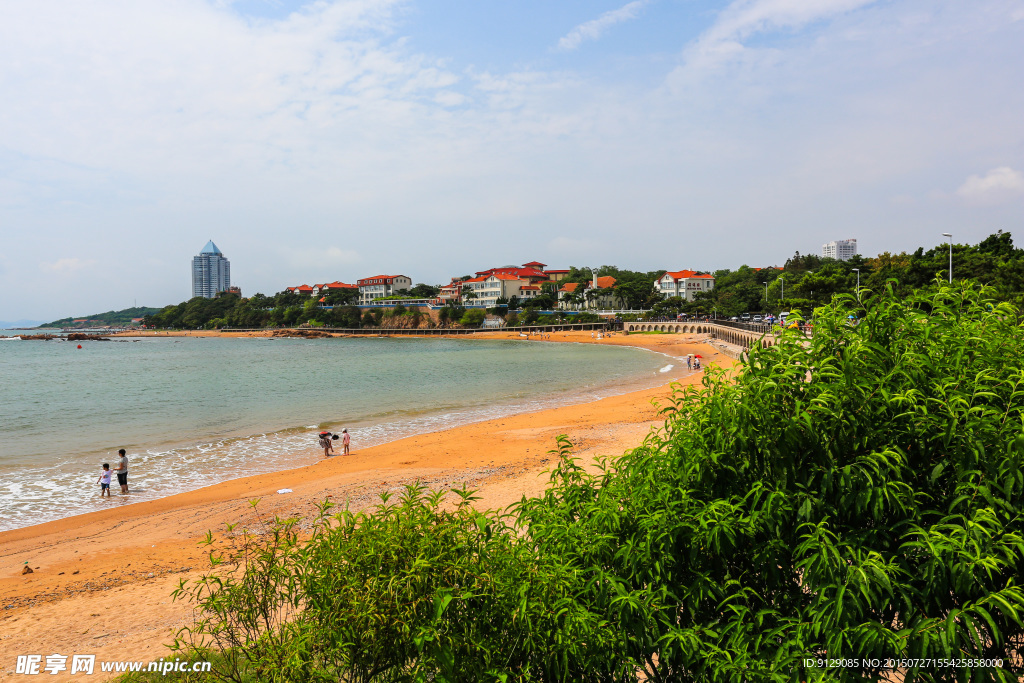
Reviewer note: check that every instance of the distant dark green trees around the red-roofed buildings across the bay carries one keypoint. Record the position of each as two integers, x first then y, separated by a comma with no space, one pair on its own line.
804,283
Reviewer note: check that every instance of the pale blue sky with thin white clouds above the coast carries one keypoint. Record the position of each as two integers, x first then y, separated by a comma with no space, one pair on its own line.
326,141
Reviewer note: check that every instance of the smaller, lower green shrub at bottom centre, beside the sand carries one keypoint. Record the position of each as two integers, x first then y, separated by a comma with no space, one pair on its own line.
410,592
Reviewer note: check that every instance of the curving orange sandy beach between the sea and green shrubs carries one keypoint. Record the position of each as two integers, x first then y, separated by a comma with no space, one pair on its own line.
102,582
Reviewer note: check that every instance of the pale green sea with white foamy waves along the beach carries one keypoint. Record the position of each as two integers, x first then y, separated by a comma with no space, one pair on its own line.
193,412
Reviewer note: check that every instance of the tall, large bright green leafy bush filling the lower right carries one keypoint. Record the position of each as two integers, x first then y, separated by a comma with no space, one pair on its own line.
859,496
